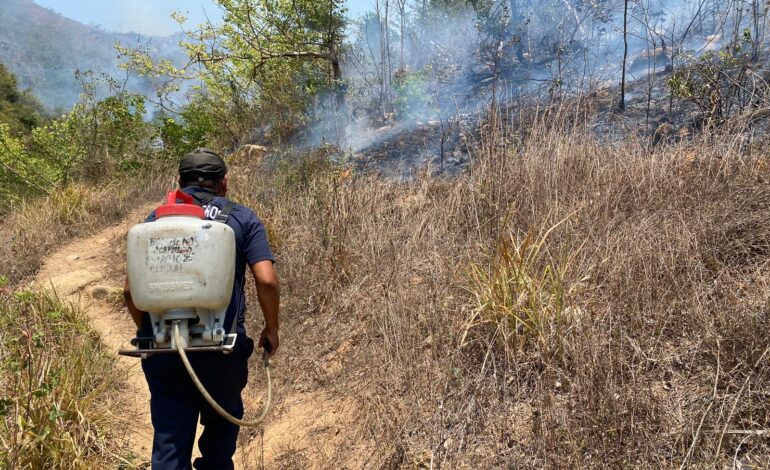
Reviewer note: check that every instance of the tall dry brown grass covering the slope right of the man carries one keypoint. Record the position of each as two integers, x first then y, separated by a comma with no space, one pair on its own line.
633,335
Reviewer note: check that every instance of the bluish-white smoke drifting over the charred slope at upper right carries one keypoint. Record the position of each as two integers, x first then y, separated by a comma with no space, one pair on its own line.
452,62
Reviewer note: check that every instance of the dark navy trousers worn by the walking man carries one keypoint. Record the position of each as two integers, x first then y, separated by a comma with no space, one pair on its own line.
176,405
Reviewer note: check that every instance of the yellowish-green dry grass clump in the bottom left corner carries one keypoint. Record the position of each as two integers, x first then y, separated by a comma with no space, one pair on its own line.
57,381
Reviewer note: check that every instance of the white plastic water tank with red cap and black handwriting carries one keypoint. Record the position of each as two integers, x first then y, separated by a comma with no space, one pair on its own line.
181,261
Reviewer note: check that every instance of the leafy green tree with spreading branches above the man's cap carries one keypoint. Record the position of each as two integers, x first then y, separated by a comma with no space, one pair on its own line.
265,63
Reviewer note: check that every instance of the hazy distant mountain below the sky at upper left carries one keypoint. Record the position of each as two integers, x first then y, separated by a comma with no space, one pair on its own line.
44,49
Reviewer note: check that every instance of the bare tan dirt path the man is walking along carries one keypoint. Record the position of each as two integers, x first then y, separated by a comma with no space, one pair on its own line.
305,428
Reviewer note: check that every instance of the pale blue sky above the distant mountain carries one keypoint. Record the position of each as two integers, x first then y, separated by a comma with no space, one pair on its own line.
150,16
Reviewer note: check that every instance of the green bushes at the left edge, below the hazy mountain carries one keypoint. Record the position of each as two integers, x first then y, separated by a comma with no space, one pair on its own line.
96,141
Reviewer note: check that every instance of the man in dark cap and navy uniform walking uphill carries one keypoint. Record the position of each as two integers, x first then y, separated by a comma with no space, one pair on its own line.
175,403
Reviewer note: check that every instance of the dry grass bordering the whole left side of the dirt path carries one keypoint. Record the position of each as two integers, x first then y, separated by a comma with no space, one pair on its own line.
58,384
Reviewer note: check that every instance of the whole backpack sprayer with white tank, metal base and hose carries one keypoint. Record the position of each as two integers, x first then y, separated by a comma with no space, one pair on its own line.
181,270
